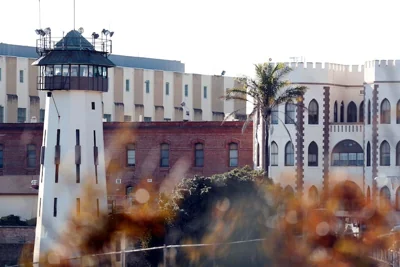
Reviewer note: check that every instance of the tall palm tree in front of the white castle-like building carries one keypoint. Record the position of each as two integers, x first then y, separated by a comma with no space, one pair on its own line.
267,91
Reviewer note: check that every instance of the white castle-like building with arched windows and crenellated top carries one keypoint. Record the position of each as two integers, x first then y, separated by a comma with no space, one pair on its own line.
346,131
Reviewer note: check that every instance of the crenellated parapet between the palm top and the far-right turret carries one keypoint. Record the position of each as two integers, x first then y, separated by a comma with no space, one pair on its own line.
326,73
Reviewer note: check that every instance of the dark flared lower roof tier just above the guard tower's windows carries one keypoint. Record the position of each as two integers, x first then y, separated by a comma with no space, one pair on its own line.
74,57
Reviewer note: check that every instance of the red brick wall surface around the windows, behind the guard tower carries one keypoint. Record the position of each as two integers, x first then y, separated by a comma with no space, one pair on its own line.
147,138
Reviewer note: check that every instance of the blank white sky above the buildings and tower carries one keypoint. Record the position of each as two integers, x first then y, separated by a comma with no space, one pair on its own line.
214,35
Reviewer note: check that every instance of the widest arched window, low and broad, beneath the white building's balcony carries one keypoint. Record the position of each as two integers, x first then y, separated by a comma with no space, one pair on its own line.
347,153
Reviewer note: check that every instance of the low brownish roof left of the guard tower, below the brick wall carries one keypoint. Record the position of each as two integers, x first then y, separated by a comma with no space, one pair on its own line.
17,185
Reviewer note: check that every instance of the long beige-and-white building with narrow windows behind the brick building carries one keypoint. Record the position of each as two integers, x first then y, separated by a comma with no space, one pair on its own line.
139,89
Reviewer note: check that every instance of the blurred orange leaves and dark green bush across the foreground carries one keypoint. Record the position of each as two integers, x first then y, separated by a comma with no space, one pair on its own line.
234,206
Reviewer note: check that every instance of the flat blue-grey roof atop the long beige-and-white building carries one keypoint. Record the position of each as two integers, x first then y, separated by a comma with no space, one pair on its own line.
118,60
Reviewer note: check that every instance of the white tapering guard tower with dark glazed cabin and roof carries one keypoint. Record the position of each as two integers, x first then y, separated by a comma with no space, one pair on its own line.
74,73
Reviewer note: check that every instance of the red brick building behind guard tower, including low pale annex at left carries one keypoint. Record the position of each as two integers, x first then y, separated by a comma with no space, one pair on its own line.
161,153
